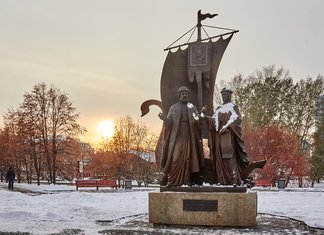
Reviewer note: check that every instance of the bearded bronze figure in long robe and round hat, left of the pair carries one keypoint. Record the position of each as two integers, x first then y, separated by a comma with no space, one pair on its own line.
181,145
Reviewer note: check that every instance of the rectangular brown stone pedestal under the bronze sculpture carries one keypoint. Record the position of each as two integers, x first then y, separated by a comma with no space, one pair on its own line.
205,208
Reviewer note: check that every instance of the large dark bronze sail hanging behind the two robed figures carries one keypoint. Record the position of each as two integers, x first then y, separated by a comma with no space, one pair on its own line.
178,72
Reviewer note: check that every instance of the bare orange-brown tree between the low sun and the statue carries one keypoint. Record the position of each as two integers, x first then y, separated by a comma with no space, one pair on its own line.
129,153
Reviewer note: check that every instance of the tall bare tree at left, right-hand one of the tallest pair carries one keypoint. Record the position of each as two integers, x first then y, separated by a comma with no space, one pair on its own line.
56,120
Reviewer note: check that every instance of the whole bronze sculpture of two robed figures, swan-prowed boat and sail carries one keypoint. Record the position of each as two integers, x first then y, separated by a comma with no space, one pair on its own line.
179,152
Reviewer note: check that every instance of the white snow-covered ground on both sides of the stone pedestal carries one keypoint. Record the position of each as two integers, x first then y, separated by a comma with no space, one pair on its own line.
60,207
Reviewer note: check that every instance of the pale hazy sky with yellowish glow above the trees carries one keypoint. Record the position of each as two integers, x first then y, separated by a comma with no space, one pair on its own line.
108,55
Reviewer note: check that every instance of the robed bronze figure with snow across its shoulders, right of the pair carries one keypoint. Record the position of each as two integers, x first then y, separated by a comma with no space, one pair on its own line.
229,159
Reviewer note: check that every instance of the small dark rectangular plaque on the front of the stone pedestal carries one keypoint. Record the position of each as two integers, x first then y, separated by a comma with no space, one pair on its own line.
200,205
